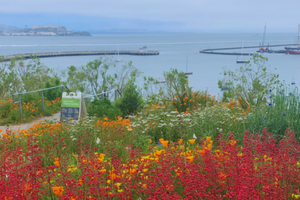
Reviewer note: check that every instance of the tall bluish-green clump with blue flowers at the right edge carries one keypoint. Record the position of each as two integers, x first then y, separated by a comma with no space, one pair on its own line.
279,113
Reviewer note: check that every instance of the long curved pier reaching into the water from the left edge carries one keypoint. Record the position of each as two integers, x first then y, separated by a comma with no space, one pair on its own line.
79,53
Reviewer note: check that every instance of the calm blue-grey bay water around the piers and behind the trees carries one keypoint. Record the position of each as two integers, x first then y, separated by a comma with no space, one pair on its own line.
174,50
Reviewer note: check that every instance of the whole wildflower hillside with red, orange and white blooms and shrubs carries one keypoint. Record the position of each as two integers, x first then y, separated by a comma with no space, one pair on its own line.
182,144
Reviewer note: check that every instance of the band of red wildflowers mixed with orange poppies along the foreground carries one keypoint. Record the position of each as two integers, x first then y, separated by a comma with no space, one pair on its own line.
261,169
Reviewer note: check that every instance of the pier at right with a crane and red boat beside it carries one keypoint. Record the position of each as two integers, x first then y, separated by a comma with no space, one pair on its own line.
212,51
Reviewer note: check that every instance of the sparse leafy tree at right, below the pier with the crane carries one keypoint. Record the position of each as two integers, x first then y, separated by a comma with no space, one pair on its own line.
250,82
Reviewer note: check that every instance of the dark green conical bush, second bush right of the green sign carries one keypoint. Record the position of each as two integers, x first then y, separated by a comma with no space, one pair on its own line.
131,100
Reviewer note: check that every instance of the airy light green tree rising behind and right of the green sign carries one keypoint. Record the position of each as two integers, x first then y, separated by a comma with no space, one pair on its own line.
99,76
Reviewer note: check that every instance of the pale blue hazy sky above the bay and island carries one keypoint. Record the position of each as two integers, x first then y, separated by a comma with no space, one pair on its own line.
155,15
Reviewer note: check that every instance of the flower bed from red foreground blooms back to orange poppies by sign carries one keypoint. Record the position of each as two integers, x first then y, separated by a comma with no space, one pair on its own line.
99,160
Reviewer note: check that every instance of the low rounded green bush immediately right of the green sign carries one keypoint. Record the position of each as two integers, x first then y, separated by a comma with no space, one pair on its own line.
103,108
